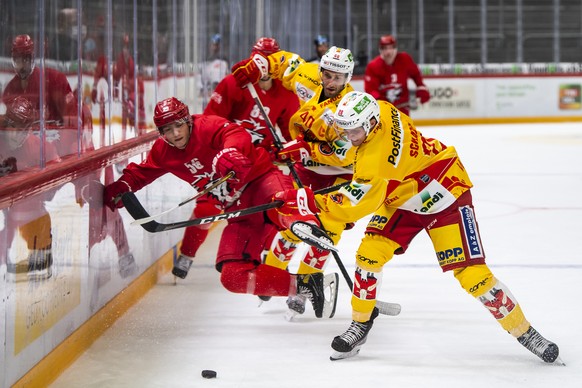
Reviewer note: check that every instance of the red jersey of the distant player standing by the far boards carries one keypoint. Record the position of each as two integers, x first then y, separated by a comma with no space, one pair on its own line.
389,82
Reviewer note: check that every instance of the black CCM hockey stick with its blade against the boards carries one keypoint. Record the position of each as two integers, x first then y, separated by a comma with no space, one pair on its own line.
137,211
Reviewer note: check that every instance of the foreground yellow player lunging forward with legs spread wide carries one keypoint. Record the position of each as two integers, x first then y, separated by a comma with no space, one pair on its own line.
412,183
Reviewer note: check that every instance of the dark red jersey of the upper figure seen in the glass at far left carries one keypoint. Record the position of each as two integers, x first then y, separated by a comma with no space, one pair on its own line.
59,99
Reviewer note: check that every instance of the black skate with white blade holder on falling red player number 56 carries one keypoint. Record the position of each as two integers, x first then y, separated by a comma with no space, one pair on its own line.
313,287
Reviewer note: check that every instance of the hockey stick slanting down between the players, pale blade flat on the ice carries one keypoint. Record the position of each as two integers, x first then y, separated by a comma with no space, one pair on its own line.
383,307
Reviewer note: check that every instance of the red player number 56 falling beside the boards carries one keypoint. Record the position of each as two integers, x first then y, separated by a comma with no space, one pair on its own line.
199,149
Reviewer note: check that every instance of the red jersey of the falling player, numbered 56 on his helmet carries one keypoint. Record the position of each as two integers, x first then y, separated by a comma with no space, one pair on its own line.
193,164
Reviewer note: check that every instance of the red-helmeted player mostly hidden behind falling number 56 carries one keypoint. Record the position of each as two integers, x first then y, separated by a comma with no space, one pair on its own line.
237,105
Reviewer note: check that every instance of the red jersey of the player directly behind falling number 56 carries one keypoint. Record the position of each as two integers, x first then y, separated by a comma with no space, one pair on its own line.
237,105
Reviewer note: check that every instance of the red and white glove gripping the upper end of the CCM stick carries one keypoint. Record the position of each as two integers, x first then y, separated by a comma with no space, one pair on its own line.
298,205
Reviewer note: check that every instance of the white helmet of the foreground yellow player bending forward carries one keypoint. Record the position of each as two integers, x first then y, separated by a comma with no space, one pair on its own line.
355,110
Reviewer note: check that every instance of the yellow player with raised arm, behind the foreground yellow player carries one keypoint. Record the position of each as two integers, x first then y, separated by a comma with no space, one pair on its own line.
322,160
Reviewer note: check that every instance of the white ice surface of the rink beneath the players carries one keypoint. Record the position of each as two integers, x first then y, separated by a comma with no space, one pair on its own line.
527,178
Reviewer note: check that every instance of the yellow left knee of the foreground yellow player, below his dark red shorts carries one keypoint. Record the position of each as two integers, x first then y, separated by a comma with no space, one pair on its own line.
374,252
